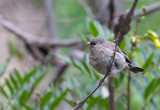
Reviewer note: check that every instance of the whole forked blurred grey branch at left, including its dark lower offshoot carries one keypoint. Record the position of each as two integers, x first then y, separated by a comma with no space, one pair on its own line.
39,47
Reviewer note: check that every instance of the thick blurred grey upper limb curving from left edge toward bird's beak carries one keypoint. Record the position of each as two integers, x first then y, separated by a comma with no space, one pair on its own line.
37,40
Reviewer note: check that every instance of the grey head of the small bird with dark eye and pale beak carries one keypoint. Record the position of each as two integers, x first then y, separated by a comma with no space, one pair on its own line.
94,42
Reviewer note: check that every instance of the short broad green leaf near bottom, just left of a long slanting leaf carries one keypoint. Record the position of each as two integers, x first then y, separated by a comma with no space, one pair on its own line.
45,99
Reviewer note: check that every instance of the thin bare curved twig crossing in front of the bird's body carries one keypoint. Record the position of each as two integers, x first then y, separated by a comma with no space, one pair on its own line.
80,104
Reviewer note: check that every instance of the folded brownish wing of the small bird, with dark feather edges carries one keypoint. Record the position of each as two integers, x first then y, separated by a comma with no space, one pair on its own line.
111,45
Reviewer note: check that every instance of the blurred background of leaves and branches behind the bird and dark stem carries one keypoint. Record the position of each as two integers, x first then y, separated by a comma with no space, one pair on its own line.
43,57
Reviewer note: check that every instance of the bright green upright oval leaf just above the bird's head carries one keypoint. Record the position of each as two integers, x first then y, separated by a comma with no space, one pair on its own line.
93,30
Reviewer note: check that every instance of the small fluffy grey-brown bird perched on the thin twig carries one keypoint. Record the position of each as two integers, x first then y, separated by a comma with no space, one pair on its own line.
100,55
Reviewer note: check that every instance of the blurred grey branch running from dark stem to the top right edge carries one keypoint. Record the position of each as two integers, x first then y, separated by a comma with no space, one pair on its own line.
148,10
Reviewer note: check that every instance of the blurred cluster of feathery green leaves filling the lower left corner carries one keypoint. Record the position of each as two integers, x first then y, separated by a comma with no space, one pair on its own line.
18,90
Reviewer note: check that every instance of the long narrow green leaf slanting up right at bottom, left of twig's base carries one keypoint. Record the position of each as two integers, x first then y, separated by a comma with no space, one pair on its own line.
56,102
